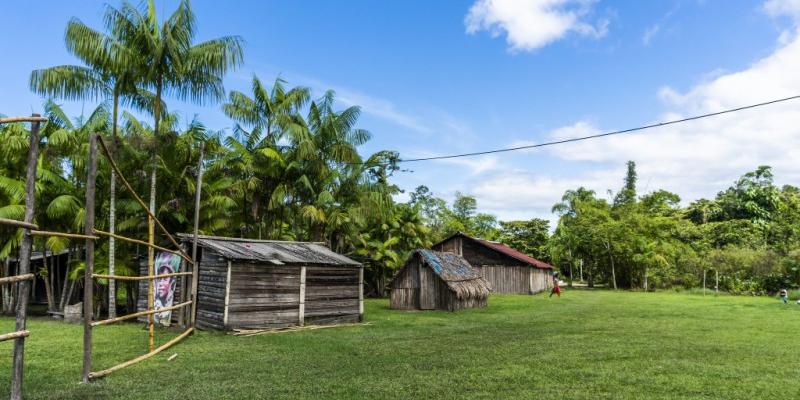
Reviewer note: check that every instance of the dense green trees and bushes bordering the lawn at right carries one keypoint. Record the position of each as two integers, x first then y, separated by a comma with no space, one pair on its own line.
749,234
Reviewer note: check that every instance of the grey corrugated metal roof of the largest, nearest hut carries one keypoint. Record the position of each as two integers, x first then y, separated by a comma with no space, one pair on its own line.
271,251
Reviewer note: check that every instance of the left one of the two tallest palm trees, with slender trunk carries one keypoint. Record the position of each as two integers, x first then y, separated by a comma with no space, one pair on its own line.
111,70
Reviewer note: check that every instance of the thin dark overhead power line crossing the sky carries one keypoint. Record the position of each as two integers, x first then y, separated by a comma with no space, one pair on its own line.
578,139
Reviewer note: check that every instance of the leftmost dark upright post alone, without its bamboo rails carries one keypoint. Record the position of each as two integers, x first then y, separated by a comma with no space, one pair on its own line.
25,263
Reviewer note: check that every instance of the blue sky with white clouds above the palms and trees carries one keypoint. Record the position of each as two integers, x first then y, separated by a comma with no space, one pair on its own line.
445,77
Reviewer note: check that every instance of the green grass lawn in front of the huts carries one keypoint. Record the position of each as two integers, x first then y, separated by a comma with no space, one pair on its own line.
587,344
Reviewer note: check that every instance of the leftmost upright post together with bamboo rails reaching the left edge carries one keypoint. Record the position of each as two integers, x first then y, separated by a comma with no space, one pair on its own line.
26,247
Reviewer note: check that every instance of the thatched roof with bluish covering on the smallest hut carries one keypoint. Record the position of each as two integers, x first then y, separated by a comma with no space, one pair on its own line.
456,272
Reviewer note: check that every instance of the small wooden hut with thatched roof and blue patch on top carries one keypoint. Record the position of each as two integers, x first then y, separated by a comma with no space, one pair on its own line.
434,280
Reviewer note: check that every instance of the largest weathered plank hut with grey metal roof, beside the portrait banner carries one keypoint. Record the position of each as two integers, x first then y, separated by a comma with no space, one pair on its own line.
245,283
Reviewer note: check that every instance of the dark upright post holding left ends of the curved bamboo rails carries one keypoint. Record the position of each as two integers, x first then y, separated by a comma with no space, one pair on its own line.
88,281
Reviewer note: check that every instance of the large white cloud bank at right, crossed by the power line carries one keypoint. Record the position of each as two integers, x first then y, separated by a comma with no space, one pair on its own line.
699,158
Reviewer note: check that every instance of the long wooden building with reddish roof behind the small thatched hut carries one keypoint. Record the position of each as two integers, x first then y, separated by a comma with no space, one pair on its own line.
507,270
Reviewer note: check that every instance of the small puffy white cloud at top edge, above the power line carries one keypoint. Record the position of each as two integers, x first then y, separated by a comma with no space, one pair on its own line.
532,24
